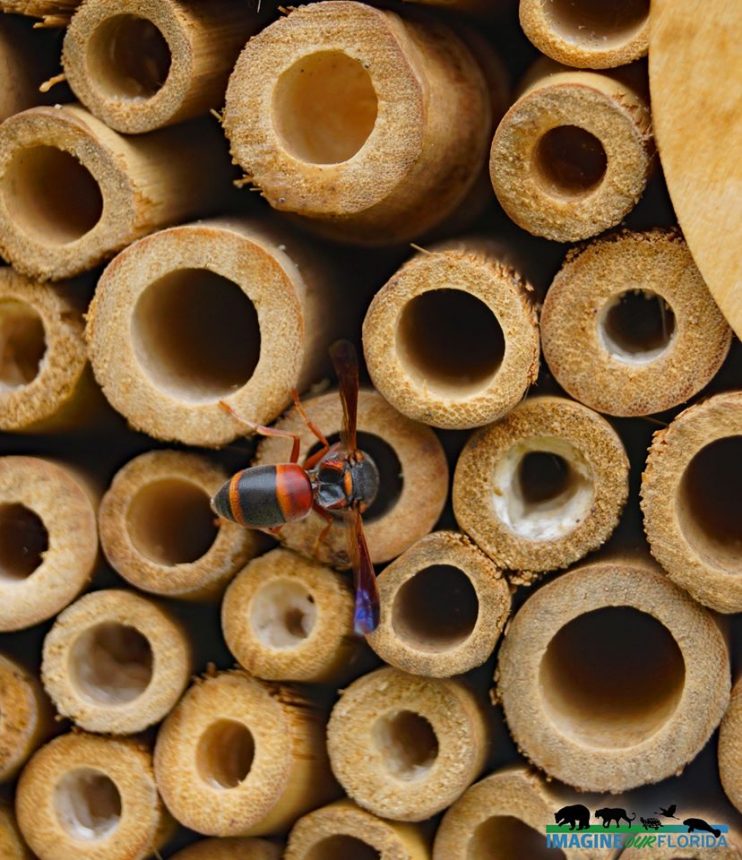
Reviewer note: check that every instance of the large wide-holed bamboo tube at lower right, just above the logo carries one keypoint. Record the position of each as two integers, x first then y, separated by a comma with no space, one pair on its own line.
611,677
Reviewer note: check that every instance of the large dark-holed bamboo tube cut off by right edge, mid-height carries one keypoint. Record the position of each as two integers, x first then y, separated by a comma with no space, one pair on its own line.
691,502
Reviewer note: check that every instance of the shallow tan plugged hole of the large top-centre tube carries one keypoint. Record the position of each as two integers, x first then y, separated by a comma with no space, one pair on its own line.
324,107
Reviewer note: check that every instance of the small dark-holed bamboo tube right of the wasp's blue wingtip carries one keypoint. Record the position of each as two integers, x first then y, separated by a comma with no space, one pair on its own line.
444,604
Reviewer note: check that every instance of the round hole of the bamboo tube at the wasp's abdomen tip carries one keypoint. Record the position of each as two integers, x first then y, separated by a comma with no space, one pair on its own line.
171,522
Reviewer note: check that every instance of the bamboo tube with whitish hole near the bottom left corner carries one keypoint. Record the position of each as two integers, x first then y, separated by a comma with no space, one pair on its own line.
91,798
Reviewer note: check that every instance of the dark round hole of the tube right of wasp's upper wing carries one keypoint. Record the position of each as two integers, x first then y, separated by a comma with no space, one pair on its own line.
451,342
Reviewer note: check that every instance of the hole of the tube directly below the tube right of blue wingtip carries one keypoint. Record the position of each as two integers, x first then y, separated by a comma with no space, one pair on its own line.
407,744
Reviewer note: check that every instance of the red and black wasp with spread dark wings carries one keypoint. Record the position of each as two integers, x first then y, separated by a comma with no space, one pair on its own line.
337,480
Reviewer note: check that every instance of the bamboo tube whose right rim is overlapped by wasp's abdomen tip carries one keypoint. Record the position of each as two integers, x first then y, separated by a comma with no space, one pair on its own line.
158,531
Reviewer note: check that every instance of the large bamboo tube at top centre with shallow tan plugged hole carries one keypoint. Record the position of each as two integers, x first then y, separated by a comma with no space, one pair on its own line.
356,119
